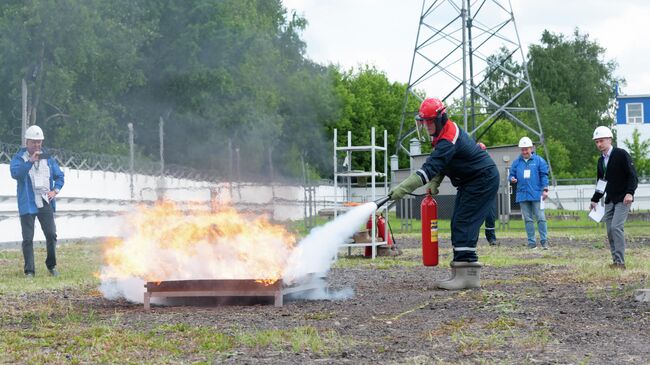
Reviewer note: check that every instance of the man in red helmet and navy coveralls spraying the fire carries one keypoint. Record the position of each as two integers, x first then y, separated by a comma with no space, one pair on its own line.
472,172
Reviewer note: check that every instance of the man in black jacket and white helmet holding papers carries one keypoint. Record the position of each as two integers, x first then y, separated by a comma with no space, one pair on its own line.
617,182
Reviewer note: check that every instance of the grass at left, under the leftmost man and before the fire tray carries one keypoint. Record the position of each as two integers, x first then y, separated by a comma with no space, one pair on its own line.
39,324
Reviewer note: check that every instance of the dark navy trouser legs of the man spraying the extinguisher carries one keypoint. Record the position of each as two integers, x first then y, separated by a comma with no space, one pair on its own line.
473,202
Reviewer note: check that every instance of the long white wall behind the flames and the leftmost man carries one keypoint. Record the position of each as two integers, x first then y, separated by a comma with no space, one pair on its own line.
92,203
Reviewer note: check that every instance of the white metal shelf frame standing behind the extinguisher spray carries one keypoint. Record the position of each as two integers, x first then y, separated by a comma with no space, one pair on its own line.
373,149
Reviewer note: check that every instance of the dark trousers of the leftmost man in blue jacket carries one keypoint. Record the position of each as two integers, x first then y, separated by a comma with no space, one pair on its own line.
46,219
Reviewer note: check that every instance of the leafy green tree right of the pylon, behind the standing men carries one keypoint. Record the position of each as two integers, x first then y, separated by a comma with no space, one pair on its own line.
573,84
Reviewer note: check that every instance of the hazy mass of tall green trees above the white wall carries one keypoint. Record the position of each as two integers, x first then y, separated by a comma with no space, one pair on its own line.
220,73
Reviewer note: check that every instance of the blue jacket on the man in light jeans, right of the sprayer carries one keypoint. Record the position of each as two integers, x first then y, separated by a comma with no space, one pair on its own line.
529,189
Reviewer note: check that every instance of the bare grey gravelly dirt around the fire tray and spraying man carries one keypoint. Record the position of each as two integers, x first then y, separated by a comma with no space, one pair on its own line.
396,316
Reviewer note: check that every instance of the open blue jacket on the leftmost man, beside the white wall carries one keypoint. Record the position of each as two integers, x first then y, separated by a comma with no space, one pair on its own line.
25,193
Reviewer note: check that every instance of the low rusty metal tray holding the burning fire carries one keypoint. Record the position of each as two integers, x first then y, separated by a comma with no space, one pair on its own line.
225,288
